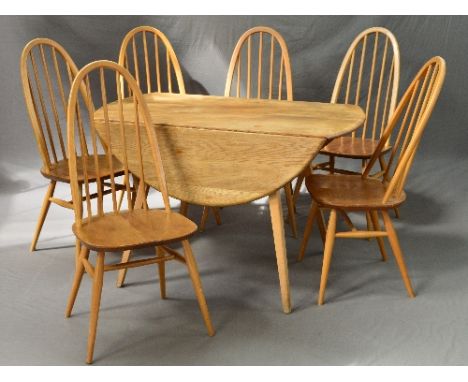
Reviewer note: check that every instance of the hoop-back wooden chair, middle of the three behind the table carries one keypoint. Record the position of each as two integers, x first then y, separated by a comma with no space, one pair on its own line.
260,68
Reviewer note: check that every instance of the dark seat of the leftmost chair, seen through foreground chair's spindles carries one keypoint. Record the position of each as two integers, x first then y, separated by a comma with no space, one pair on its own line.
59,171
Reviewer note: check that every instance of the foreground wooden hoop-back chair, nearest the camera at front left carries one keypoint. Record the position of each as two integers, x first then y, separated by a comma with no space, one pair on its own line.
102,227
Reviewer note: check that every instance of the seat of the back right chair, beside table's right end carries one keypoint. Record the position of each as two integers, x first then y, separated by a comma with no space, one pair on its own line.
349,147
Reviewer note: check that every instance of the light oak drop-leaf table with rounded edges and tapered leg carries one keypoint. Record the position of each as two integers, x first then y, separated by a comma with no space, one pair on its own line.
220,151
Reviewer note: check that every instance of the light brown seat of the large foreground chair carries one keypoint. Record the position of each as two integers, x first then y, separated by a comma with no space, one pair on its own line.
133,229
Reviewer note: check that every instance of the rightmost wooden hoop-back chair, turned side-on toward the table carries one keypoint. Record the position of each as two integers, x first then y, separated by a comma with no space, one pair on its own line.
363,193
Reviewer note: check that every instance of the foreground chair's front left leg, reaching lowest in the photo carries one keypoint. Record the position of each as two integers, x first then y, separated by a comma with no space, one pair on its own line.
95,304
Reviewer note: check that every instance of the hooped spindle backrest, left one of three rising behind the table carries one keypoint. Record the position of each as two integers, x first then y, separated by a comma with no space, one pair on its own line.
171,59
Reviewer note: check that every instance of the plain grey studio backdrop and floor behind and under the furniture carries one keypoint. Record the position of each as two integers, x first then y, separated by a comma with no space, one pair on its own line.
368,318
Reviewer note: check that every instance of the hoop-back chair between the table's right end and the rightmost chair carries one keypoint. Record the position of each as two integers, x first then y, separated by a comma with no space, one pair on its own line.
368,77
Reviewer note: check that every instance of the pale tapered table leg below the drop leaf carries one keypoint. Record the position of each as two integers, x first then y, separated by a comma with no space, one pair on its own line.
276,213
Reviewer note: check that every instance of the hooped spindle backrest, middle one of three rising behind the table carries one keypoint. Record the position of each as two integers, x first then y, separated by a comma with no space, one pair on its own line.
285,64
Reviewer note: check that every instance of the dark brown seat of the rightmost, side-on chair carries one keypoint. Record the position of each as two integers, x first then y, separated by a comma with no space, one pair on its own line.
350,192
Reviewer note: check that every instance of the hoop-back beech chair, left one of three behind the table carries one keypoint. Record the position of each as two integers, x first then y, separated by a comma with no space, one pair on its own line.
158,71
